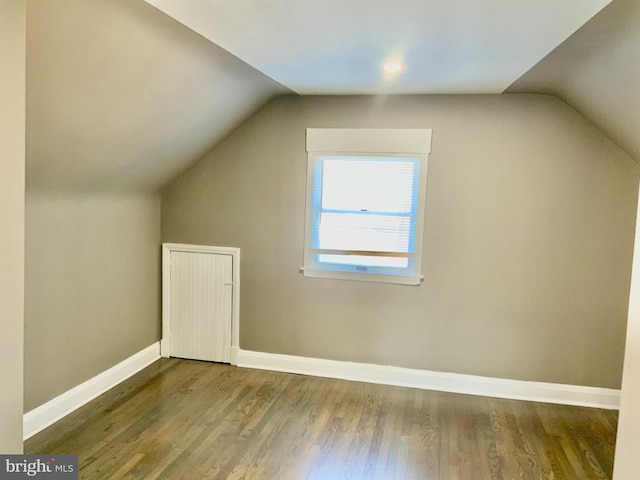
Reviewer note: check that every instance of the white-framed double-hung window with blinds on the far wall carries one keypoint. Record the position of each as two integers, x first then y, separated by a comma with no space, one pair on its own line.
365,204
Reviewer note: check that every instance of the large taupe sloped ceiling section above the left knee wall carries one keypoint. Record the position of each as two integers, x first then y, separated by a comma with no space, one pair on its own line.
122,97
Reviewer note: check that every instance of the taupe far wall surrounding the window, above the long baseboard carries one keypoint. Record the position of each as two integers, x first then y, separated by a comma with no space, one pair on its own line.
527,252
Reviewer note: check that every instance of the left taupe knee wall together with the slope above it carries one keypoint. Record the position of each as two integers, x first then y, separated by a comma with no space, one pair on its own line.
120,99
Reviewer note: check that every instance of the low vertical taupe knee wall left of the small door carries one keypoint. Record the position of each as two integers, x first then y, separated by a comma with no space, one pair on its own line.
92,286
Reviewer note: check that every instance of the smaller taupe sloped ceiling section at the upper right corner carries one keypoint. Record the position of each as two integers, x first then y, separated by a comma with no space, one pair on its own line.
597,71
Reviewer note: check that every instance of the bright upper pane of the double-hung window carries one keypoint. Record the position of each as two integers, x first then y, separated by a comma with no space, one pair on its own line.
373,184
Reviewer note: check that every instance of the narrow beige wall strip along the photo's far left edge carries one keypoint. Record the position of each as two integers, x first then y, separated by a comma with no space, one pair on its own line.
12,159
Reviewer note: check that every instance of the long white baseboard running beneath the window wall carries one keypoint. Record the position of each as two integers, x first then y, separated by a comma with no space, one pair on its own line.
429,380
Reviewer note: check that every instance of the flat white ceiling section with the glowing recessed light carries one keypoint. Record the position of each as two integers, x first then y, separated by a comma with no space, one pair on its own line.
338,46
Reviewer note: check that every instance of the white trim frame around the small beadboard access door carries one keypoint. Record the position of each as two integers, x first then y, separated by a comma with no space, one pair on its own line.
167,249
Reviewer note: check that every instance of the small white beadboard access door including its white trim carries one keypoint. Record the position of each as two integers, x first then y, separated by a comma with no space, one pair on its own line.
200,292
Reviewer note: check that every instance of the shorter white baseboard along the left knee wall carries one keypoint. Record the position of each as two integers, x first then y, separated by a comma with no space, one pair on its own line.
41,417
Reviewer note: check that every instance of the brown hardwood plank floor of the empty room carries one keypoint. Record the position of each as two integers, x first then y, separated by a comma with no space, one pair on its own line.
181,419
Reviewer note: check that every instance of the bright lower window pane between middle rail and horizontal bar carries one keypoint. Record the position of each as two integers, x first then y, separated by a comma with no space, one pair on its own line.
351,231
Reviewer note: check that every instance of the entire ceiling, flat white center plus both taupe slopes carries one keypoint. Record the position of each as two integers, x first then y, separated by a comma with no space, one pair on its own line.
120,96
